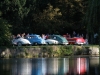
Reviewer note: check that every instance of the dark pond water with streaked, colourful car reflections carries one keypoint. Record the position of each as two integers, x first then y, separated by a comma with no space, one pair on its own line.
51,66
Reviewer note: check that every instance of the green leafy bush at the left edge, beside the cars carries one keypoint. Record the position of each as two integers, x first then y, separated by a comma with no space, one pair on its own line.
5,35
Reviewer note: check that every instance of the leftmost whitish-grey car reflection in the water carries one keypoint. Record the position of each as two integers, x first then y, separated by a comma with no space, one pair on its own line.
22,67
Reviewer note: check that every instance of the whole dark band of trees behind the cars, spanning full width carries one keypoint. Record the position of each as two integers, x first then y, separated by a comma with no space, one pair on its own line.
50,16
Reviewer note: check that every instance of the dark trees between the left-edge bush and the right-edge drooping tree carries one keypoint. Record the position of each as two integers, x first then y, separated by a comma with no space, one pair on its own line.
47,16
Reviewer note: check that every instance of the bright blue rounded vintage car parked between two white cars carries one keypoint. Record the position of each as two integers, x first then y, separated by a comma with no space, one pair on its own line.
36,39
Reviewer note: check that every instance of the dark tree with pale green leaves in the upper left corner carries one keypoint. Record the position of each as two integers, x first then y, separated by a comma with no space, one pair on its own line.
14,11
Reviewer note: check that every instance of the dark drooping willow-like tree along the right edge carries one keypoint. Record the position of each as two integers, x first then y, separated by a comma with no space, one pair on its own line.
92,19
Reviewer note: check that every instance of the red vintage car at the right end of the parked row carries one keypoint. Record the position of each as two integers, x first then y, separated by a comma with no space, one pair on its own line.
76,40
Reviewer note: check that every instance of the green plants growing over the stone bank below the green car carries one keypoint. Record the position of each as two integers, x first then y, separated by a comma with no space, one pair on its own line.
57,51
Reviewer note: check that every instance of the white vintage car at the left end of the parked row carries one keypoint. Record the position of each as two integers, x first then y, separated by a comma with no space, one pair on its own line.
19,41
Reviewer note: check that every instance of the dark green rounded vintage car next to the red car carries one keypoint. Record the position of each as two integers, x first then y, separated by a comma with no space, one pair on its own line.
59,38
